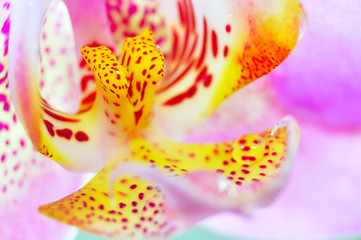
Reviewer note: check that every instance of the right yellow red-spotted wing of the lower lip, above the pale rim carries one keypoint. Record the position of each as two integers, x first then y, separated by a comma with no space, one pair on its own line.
251,158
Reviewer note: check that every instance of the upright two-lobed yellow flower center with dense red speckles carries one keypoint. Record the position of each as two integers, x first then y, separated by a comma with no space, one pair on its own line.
126,87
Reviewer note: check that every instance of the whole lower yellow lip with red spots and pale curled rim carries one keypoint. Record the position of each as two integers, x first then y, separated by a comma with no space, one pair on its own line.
146,203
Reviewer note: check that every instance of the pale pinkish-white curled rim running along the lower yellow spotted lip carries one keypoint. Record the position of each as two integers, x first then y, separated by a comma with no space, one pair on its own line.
191,198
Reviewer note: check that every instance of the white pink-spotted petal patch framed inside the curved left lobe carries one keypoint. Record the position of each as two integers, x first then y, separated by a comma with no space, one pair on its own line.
58,60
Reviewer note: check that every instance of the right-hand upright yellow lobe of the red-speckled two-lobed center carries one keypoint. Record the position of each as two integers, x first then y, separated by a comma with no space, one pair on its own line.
145,66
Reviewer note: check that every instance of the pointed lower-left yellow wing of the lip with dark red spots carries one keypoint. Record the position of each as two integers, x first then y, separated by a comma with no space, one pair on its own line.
136,210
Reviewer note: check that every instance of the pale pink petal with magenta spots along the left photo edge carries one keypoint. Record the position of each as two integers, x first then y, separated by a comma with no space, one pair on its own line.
24,172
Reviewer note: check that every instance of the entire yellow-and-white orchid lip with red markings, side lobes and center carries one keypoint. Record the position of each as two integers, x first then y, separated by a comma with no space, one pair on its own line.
139,100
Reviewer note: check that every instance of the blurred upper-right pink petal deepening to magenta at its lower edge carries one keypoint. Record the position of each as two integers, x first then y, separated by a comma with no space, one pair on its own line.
322,77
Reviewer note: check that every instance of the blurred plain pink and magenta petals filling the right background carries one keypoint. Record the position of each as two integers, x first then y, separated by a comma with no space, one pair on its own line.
320,85
